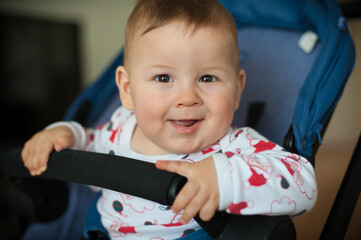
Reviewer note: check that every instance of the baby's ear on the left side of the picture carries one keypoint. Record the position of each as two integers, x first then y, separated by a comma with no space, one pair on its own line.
123,84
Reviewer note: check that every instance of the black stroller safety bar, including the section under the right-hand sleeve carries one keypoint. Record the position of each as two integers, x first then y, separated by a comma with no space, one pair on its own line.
118,173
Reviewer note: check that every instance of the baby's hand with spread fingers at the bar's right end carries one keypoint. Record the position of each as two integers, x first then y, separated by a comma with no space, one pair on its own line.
200,194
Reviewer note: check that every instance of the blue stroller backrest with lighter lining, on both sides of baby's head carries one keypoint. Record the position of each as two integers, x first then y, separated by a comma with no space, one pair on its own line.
297,56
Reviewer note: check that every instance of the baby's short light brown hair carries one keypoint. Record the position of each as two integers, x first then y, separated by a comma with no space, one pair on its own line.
150,14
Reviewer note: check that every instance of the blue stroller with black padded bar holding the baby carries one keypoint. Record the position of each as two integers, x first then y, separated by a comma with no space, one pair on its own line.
300,51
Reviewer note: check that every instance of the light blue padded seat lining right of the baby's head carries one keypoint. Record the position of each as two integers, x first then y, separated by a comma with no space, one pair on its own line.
276,68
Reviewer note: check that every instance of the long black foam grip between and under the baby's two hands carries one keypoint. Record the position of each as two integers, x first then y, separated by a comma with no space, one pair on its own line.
131,176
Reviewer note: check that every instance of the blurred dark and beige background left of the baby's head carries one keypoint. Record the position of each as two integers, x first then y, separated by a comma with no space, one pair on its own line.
49,51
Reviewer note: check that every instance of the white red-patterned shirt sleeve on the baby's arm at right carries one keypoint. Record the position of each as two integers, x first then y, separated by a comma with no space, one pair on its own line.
256,176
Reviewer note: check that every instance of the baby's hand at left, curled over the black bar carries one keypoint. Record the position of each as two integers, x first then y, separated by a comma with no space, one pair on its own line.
36,151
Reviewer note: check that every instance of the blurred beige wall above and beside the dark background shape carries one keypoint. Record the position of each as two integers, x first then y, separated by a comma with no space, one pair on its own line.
101,23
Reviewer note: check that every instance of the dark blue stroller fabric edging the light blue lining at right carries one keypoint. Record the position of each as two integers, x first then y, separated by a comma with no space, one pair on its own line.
325,81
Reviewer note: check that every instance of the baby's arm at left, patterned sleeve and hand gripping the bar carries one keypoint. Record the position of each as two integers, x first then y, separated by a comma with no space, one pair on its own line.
71,134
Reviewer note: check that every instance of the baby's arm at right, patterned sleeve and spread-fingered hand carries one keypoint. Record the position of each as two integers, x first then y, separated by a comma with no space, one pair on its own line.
252,176
